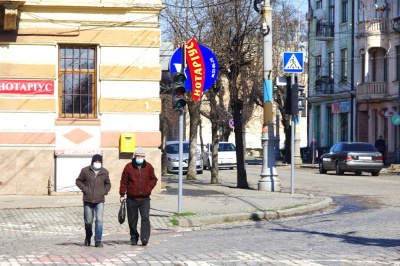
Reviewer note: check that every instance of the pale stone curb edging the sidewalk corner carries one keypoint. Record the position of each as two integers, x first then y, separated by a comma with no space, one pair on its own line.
254,216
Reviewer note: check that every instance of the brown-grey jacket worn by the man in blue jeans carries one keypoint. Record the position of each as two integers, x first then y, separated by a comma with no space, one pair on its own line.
94,187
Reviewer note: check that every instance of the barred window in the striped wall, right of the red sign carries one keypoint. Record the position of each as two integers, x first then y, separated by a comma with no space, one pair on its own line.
77,81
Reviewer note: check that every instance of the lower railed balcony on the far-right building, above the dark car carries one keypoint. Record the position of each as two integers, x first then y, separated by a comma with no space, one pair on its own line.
373,91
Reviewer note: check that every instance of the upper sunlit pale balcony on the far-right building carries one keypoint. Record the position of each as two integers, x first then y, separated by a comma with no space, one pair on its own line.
377,26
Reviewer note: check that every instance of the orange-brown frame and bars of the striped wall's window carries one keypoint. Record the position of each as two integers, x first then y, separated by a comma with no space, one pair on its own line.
80,73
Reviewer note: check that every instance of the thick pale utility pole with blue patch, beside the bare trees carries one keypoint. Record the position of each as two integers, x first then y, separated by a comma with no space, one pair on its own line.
269,177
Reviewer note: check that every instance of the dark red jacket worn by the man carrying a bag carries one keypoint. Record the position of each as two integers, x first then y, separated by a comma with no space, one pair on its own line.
137,182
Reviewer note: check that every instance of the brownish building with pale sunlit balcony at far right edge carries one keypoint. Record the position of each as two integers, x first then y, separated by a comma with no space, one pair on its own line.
377,73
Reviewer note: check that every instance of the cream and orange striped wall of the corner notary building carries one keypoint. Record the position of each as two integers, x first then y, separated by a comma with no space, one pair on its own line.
36,144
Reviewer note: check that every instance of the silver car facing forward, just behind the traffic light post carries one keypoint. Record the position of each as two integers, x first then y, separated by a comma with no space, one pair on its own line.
172,154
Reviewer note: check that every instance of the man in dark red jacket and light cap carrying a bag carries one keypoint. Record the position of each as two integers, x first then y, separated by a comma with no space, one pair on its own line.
137,182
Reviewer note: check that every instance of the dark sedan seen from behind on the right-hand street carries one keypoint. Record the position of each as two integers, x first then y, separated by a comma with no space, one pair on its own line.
354,157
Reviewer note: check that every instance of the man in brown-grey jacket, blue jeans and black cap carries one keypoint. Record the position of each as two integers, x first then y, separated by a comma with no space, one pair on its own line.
94,181
